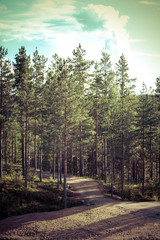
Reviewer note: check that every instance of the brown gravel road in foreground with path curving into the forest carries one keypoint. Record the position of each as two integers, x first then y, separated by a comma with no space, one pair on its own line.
99,218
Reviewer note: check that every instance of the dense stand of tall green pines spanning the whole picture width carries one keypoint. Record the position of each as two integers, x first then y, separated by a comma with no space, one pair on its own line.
78,117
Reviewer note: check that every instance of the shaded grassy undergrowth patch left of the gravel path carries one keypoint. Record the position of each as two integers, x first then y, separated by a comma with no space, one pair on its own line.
44,196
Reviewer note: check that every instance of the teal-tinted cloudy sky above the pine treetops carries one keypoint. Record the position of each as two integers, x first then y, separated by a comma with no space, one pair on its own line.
130,27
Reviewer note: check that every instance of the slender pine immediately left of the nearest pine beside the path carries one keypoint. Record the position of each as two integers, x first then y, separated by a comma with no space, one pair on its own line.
54,95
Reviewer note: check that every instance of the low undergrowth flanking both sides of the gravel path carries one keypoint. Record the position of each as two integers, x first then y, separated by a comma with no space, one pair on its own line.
47,195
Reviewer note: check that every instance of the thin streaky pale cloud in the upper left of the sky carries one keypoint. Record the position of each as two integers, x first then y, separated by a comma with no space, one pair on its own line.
35,22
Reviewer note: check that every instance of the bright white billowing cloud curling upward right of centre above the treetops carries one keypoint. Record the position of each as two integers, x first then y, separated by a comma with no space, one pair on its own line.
114,33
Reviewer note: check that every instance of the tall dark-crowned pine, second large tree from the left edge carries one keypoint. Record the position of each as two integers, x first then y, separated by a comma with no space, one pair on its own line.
23,85
